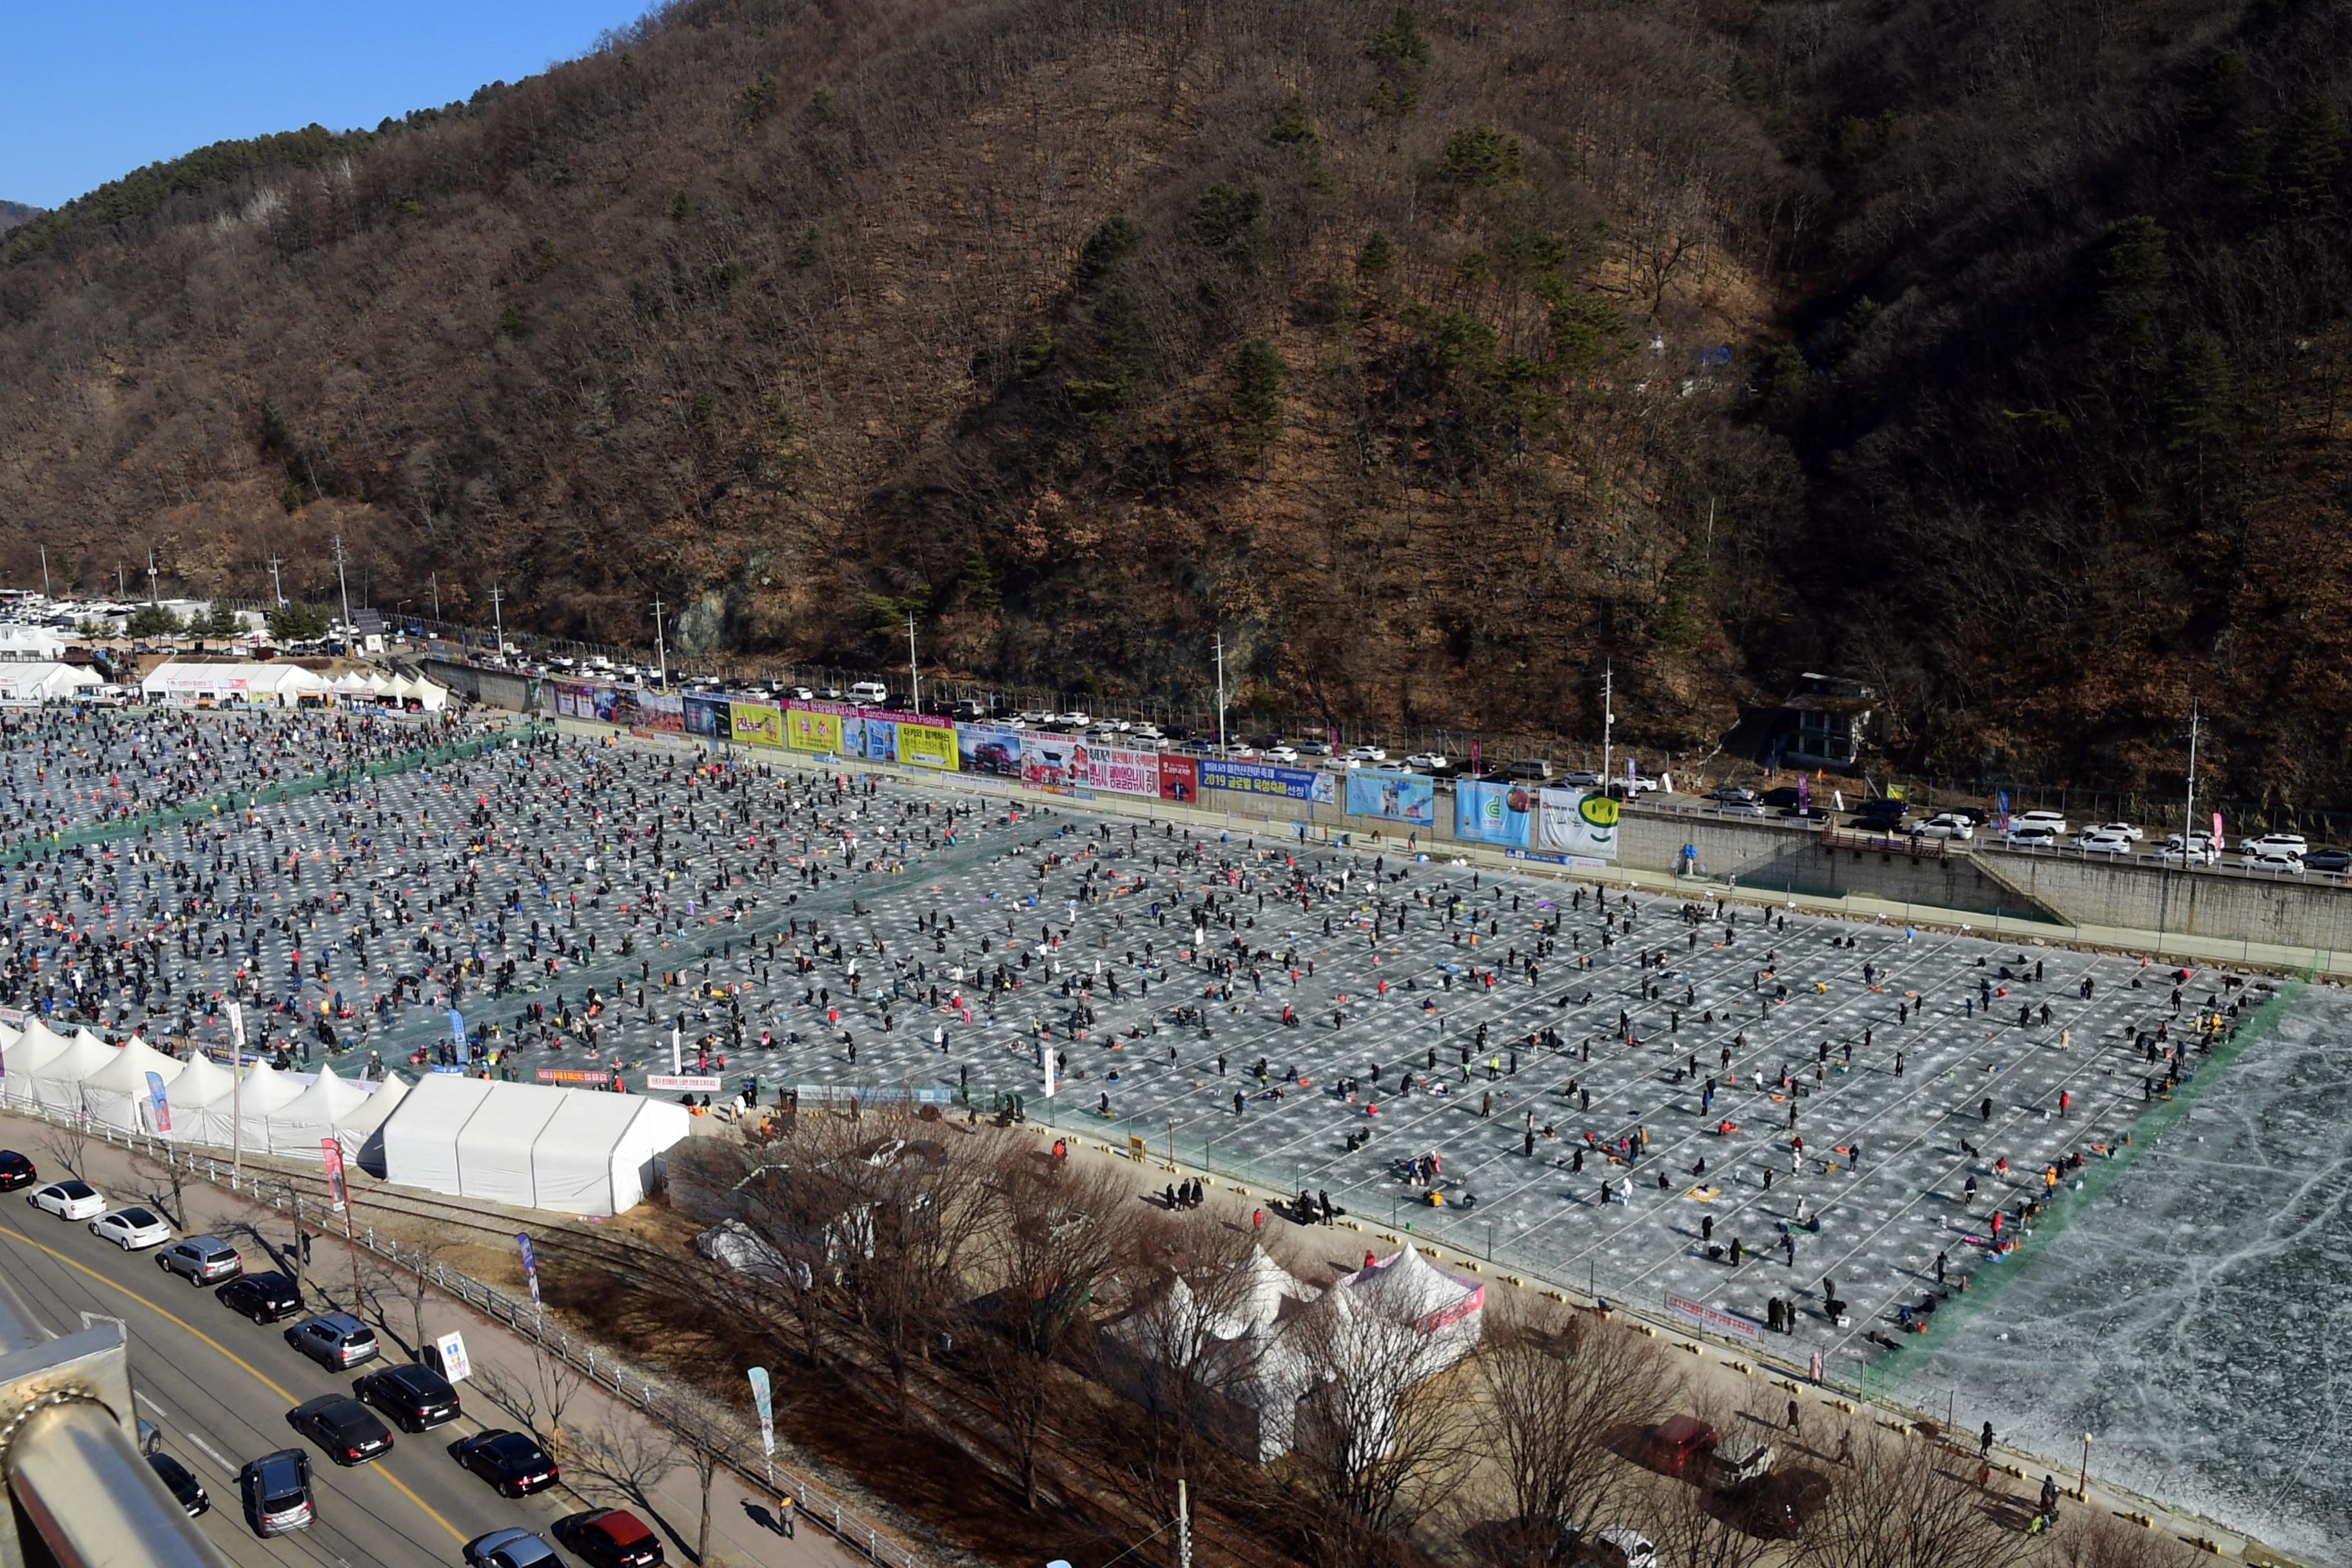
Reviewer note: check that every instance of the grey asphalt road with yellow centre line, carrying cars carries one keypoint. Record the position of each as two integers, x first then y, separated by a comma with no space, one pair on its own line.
220,1388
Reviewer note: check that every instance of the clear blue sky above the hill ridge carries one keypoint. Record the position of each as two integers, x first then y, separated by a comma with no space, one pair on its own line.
95,91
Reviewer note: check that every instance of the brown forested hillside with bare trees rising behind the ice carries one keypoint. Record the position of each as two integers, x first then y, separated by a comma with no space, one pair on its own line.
1436,354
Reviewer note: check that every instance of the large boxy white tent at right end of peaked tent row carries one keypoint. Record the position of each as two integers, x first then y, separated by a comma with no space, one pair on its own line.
533,1146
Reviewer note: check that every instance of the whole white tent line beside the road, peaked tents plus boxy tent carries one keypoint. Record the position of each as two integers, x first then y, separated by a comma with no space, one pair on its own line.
530,1146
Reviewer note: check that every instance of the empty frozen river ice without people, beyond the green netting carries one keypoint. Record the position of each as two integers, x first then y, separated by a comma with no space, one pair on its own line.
2198,1325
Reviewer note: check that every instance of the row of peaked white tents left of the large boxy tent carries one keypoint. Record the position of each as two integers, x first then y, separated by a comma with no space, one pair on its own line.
281,1113
